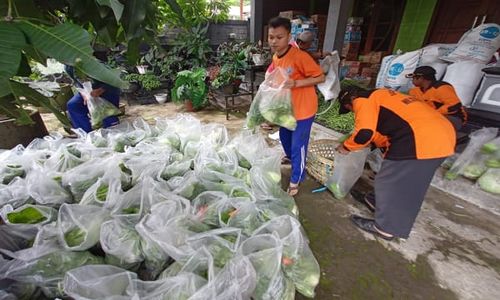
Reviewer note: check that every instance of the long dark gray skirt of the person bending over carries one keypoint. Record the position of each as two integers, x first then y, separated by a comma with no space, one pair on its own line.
400,188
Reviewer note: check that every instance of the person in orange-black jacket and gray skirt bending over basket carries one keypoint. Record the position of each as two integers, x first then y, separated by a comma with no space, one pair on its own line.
417,140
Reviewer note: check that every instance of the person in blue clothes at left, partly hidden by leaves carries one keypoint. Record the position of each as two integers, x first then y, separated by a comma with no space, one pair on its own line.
77,105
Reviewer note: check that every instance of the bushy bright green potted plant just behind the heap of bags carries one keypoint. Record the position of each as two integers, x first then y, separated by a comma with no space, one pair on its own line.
190,88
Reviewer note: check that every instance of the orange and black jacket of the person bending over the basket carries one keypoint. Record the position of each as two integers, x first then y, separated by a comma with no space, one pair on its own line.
409,128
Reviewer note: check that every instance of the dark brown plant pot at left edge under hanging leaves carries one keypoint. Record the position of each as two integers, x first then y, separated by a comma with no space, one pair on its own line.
12,134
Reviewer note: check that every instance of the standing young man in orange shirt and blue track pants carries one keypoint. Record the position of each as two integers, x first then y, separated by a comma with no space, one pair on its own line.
304,73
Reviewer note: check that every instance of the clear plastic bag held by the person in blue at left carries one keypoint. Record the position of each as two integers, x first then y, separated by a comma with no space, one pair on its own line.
99,108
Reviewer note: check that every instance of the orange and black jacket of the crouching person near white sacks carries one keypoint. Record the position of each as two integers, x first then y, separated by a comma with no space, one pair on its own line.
442,97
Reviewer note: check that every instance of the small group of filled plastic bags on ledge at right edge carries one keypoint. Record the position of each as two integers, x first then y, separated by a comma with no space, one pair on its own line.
480,161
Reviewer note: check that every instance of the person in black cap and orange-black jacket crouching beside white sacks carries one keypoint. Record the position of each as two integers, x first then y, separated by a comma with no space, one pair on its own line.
440,95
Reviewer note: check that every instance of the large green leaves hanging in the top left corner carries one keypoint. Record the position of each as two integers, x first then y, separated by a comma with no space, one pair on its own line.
32,30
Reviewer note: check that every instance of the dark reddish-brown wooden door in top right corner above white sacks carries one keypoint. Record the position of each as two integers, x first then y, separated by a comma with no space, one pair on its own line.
453,18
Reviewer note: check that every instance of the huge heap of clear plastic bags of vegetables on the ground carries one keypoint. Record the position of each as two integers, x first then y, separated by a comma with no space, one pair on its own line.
171,211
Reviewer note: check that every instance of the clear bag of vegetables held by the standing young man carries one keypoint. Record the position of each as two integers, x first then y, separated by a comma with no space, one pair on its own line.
273,102
